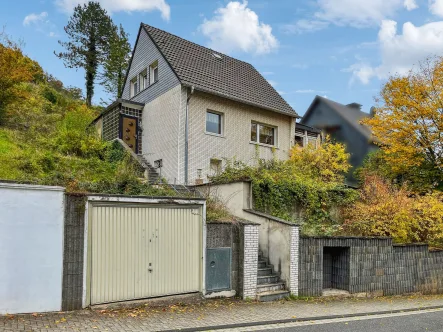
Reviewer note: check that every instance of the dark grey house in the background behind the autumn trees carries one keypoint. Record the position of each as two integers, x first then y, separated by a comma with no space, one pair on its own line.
342,124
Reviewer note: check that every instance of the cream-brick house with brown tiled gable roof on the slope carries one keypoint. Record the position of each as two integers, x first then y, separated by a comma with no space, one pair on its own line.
186,108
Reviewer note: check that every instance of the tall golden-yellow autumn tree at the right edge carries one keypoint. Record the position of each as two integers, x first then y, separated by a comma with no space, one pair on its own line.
408,124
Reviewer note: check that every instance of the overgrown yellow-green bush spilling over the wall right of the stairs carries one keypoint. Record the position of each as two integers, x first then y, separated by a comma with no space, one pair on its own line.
310,185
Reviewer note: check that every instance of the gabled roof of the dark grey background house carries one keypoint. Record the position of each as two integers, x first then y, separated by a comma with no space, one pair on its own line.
349,113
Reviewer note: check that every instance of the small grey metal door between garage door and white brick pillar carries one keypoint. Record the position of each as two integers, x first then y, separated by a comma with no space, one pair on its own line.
218,269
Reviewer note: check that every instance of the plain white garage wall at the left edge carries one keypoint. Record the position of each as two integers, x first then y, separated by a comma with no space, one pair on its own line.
31,248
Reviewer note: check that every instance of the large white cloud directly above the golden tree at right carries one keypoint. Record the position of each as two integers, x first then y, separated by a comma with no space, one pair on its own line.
400,52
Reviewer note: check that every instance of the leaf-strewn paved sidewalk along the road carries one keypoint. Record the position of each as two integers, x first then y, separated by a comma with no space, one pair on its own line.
210,314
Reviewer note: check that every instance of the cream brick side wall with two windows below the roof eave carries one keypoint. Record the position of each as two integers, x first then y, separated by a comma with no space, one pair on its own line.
235,139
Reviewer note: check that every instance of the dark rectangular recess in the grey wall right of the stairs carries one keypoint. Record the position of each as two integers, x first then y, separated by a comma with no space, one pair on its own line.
336,268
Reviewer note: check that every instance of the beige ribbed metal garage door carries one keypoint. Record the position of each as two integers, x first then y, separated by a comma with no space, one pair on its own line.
140,251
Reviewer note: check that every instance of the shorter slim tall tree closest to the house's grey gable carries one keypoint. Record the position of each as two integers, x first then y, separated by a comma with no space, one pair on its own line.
117,62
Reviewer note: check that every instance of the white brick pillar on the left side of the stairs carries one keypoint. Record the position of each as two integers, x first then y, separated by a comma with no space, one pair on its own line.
250,261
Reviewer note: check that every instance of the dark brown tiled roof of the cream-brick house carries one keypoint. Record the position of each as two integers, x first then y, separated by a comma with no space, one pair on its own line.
215,73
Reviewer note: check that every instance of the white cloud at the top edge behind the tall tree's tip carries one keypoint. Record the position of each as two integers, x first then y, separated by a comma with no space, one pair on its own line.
113,6
